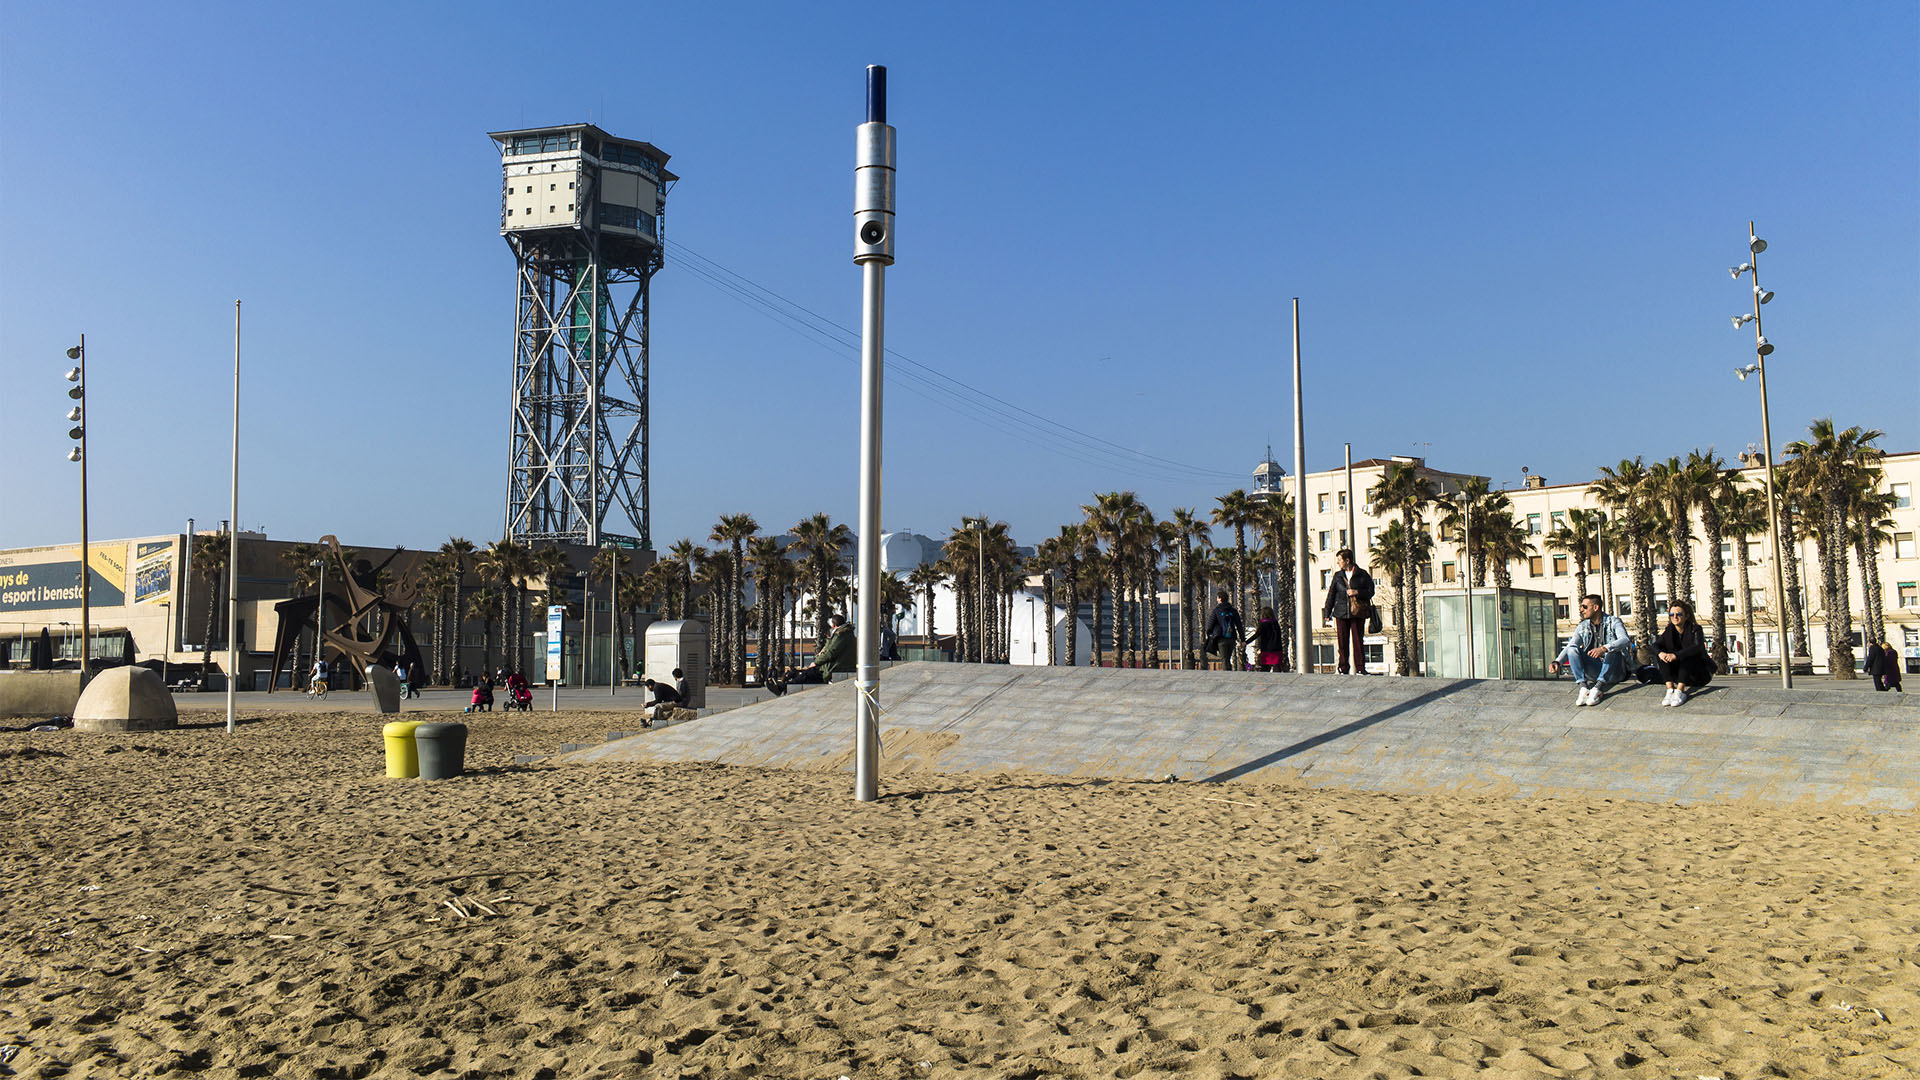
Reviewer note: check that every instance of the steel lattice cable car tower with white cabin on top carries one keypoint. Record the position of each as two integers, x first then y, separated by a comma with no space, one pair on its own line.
583,214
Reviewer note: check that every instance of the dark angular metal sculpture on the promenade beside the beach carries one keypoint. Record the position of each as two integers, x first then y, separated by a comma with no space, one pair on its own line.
352,597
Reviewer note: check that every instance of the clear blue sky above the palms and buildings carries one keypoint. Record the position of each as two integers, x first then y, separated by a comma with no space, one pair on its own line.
1508,228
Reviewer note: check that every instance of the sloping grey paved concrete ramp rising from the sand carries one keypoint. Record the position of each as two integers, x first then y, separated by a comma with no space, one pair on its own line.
1387,735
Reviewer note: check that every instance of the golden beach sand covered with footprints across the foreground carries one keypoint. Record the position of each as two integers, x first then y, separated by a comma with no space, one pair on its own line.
268,904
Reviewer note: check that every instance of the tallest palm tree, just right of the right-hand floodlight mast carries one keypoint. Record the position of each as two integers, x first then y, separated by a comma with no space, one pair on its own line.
1831,468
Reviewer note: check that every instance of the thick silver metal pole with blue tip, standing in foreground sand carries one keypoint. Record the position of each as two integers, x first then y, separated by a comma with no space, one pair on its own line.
875,159
